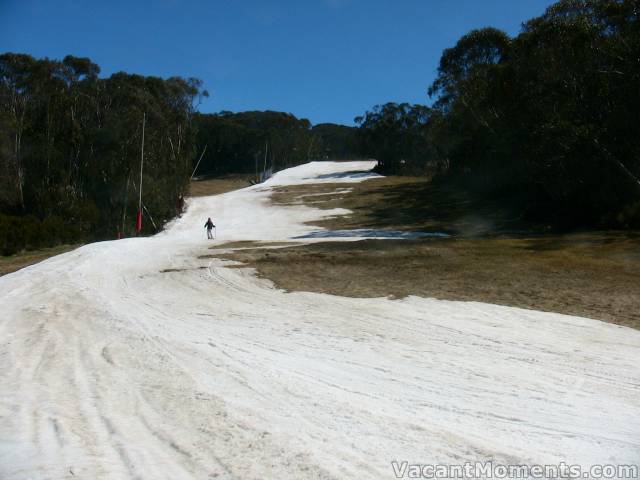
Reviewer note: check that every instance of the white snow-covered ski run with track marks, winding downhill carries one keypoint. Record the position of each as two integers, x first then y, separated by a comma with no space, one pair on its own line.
137,359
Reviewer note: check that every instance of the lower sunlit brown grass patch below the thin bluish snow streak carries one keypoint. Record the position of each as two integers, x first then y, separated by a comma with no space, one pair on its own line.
596,275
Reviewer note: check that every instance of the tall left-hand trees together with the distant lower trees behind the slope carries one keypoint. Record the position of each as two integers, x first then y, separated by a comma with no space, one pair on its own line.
70,148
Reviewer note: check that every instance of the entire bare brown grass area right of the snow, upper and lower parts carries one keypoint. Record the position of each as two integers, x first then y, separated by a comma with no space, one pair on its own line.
493,256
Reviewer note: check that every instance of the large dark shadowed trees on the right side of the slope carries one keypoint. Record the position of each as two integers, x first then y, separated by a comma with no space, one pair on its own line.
548,119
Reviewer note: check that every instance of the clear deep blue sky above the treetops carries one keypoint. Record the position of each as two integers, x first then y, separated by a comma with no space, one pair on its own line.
325,60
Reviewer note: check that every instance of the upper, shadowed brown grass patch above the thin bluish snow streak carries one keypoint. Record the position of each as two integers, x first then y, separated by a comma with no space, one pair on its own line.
409,204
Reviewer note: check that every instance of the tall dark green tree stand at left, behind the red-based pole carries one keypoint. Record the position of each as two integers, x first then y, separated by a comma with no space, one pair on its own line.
70,149
